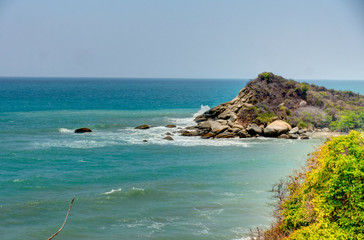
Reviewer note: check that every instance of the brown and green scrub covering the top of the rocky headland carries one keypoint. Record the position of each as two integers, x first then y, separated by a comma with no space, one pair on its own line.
301,104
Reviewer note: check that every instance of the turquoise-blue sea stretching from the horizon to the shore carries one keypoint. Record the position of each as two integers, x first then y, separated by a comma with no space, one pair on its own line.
185,189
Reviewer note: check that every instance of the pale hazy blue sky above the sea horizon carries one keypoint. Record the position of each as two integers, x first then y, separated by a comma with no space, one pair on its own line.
311,39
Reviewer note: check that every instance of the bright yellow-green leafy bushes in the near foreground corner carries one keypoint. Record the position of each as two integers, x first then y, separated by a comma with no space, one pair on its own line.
324,200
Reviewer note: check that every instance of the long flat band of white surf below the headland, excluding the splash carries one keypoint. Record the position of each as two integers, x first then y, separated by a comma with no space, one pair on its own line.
131,136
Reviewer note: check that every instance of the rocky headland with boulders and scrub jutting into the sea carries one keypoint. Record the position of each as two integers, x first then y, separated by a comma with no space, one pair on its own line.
269,98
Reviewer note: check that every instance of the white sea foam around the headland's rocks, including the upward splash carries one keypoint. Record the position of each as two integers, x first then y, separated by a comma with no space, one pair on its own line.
131,136
